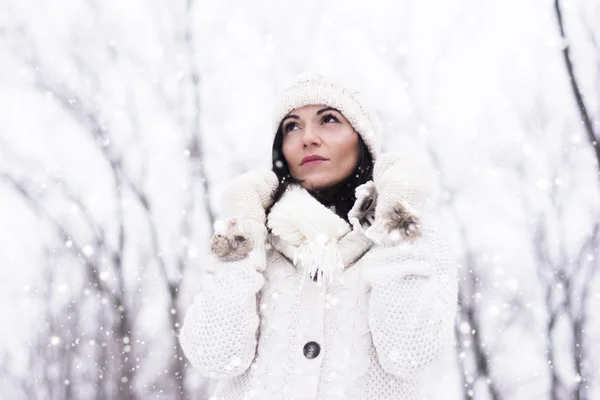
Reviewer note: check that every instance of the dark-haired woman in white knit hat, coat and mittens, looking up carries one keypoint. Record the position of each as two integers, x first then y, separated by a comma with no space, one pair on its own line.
328,280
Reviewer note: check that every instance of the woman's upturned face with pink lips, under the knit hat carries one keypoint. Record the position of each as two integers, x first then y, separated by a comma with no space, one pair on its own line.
321,131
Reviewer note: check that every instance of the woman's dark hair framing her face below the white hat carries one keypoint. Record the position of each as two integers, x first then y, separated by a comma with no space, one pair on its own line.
341,195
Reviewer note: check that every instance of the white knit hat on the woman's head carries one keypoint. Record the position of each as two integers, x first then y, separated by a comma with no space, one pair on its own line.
311,88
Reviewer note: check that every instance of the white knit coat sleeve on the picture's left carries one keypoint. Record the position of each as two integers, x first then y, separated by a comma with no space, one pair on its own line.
220,328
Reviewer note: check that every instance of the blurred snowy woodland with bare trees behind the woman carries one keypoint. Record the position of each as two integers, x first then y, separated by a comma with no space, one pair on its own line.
121,122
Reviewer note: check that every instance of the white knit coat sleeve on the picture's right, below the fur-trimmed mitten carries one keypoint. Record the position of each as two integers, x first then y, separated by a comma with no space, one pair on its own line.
412,301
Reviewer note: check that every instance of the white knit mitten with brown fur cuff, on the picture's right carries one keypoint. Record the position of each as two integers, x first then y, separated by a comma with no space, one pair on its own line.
404,186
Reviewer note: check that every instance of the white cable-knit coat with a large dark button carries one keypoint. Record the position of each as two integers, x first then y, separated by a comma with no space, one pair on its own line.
388,314
